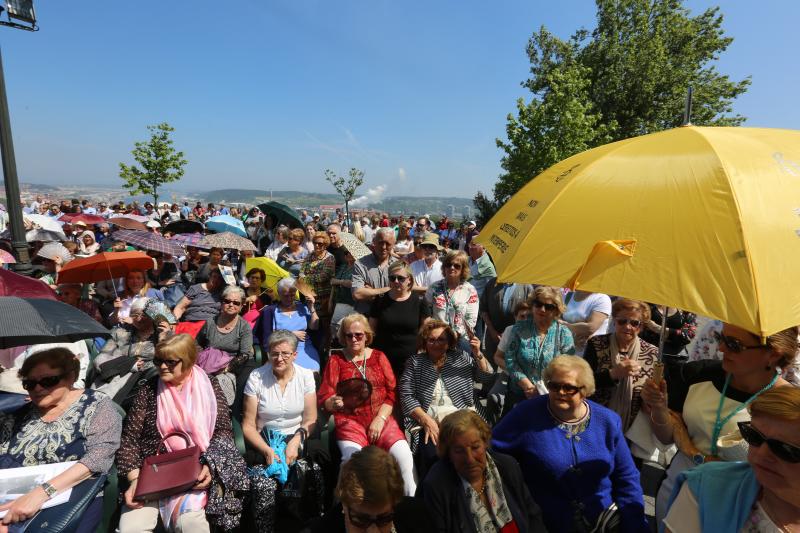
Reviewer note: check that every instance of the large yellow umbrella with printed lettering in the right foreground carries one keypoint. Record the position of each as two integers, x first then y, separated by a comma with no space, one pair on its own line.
704,219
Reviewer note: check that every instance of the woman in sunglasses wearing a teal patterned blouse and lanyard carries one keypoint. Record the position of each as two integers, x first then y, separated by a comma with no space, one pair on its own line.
533,343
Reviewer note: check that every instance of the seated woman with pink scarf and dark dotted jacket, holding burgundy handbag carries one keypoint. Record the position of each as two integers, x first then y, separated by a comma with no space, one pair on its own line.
185,399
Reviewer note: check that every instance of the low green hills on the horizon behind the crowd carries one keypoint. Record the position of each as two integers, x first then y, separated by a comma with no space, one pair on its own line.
393,204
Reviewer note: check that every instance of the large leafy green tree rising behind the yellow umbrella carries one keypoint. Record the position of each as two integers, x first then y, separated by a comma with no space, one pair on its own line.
627,77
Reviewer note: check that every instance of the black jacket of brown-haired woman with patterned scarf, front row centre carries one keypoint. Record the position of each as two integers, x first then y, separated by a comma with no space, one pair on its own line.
447,504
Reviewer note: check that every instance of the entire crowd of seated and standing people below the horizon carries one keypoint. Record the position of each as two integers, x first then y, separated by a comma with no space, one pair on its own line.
392,376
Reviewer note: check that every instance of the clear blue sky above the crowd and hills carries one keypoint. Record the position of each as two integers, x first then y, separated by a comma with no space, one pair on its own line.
268,93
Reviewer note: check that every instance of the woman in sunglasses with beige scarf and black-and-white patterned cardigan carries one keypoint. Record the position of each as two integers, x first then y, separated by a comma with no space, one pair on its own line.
622,361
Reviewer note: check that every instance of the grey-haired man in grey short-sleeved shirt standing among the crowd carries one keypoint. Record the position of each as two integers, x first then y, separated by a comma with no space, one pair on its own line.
370,274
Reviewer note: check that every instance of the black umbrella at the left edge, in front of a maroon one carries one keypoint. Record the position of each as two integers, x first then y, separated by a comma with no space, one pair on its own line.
38,320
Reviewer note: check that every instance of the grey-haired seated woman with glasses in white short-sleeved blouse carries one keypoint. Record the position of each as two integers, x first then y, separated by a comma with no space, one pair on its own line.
282,396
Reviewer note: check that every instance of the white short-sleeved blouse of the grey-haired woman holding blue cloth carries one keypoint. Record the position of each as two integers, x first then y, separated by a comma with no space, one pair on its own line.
280,410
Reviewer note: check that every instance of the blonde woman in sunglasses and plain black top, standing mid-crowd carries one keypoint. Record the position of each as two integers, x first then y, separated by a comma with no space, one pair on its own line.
396,316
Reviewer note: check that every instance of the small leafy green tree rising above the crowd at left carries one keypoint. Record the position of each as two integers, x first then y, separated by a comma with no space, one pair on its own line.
159,161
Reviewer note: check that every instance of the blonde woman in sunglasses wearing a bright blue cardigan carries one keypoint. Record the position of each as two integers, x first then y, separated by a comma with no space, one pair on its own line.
573,453
